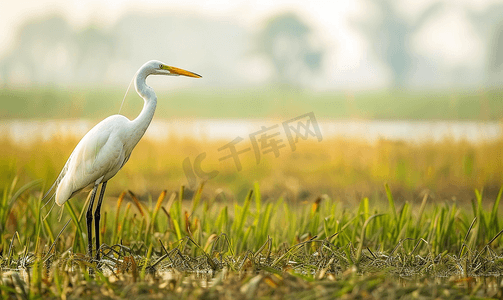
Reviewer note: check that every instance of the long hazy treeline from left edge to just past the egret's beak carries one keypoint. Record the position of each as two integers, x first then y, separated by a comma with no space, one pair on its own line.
49,51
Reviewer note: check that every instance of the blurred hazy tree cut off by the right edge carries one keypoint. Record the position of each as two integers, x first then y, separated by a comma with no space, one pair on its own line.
489,25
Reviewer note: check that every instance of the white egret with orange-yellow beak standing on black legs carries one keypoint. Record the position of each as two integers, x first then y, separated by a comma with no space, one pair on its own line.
105,149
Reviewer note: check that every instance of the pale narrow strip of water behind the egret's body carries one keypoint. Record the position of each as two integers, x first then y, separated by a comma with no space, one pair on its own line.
26,131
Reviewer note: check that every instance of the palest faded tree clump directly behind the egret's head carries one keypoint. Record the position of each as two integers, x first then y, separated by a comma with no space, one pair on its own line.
208,45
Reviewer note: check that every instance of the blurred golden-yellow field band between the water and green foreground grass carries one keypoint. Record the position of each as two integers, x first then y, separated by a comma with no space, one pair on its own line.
344,169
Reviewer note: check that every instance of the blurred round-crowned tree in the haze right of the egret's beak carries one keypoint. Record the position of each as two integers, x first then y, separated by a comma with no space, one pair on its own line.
288,43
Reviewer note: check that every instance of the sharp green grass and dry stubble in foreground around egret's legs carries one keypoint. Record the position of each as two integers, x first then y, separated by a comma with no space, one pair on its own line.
211,247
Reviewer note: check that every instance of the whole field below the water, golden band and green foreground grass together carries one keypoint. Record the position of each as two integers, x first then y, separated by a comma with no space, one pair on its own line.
340,217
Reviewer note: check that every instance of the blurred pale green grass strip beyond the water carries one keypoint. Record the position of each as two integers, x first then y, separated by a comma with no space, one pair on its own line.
89,103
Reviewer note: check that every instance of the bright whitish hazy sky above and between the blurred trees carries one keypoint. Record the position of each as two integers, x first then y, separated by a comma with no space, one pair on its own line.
449,36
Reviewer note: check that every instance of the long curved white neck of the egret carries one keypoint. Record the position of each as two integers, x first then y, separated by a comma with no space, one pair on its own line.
141,123
